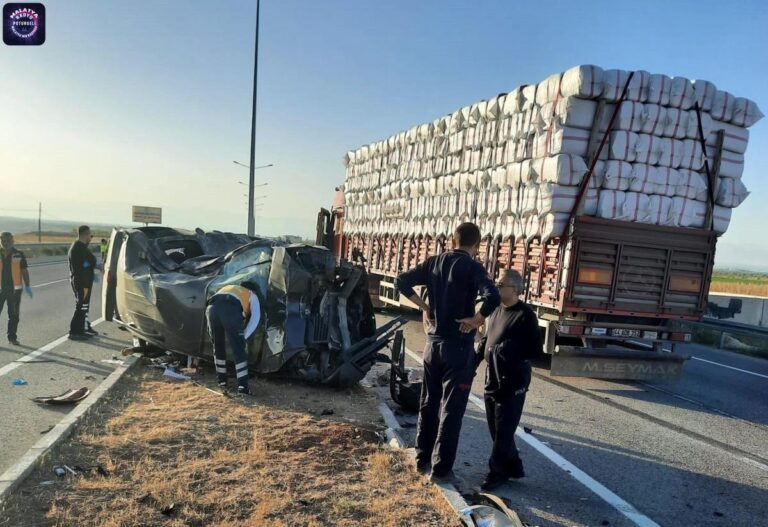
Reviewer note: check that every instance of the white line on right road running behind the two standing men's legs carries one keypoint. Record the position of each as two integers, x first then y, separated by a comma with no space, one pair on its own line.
612,499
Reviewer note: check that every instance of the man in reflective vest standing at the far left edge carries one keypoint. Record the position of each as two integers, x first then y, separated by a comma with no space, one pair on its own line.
14,276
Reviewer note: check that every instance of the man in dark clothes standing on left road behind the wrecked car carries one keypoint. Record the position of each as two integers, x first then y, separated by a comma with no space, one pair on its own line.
82,266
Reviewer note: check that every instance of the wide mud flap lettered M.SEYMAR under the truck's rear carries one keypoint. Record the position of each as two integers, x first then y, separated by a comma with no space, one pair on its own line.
617,364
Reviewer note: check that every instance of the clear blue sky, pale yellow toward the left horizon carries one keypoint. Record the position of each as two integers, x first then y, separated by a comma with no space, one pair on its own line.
148,102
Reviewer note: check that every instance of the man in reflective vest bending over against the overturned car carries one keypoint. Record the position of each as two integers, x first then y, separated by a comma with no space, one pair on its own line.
233,312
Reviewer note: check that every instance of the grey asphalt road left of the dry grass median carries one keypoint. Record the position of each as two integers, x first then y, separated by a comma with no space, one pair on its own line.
63,364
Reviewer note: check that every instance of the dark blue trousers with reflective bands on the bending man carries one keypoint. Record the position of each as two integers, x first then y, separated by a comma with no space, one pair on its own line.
226,321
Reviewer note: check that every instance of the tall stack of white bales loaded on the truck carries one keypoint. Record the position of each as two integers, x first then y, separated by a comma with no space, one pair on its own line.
514,163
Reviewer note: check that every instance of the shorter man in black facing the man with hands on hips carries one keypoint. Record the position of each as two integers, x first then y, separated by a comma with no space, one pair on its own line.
512,337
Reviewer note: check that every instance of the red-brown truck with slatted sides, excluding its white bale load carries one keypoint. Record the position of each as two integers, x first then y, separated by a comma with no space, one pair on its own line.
608,294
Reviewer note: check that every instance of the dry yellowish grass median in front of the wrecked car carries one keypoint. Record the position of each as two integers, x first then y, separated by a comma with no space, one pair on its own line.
171,453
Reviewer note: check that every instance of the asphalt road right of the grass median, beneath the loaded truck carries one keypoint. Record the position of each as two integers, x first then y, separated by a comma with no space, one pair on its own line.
693,452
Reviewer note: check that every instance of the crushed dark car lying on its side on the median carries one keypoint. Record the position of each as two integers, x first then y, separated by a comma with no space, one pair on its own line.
317,319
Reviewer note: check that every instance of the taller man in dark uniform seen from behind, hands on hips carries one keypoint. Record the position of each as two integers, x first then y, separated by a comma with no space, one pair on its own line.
453,281
